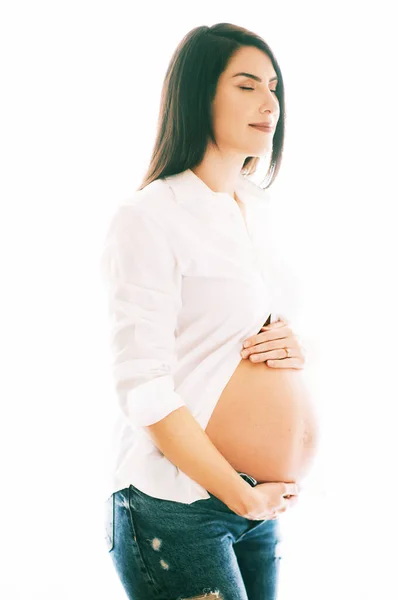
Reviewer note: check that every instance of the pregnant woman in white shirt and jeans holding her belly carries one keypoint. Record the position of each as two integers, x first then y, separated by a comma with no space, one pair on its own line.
211,444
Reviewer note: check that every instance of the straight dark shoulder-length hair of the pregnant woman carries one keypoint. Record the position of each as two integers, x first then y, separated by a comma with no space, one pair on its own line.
184,125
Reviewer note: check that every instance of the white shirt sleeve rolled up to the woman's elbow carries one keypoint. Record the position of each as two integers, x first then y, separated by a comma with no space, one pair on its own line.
141,271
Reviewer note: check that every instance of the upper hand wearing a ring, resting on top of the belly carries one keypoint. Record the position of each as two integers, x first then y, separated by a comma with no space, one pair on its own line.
269,347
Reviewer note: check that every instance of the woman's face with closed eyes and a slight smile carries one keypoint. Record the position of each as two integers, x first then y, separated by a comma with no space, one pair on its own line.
234,108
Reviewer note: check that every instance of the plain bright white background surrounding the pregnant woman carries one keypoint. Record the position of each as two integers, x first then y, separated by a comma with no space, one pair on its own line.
80,92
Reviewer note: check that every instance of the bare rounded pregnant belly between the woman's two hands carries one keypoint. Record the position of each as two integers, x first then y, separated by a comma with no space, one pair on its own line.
264,424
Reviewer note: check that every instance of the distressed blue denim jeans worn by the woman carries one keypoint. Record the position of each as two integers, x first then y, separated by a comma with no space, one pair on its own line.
167,550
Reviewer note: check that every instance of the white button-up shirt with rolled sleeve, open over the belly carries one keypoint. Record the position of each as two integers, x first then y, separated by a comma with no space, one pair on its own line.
189,278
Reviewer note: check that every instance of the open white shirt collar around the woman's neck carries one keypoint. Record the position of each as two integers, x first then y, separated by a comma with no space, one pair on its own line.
187,186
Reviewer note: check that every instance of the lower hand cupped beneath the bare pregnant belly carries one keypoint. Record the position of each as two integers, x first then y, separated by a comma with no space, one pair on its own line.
270,499
